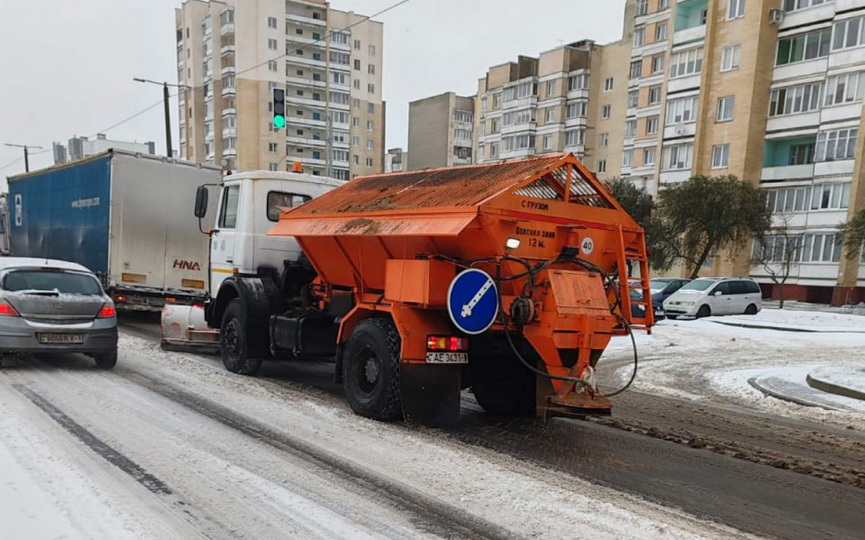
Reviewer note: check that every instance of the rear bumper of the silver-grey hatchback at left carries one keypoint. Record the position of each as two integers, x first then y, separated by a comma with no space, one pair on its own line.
20,335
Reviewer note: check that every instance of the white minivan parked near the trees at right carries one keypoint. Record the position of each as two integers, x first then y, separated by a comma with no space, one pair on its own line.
715,296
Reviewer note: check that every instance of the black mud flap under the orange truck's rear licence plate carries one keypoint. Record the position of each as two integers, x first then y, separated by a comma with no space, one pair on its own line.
430,393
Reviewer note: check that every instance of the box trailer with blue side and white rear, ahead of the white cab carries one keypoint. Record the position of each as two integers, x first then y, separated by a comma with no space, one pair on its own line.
123,215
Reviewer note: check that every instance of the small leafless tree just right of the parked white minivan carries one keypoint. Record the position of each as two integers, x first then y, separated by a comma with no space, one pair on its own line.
777,252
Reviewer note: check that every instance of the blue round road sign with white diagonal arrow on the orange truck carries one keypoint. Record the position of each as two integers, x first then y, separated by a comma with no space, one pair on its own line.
473,301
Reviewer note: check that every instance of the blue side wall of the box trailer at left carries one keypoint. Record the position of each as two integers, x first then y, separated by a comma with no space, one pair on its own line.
64,213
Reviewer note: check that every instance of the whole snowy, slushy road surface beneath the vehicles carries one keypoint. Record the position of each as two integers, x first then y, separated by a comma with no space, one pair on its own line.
171,445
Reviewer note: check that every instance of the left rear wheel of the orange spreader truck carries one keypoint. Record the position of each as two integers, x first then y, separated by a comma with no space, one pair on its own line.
371,370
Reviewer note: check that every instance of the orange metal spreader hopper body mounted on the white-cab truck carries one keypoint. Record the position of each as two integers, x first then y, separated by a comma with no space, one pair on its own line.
391,240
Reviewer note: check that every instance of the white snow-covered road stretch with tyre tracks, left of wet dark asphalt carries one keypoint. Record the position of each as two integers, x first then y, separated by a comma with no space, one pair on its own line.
224,483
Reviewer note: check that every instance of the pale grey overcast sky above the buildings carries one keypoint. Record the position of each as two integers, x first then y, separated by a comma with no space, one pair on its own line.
67,66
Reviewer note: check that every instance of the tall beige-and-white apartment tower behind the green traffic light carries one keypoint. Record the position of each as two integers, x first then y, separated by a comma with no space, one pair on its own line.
231,55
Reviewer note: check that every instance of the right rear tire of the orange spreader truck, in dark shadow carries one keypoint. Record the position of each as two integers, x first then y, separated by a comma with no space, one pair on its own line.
501,384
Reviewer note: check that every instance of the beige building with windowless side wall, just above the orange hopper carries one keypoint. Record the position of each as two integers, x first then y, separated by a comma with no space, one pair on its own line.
441,131
